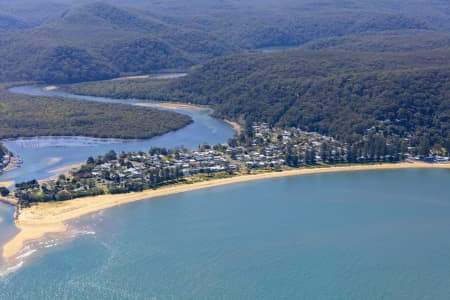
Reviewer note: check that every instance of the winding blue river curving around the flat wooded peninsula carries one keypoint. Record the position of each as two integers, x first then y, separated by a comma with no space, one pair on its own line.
41,155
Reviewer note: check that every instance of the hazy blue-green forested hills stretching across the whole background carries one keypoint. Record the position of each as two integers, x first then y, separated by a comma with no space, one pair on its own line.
71,41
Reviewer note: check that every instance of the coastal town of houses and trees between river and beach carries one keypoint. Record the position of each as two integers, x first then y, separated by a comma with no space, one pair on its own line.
259,148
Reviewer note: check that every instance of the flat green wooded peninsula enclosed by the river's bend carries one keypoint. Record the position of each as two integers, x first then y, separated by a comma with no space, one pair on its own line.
26,116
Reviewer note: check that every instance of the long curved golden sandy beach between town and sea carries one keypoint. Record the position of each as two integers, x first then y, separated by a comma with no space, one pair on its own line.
38,220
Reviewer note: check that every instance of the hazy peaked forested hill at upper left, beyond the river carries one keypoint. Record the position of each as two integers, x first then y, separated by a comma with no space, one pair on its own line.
101,41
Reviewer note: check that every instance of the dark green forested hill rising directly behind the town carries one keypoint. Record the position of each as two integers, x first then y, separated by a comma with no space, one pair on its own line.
338,93
